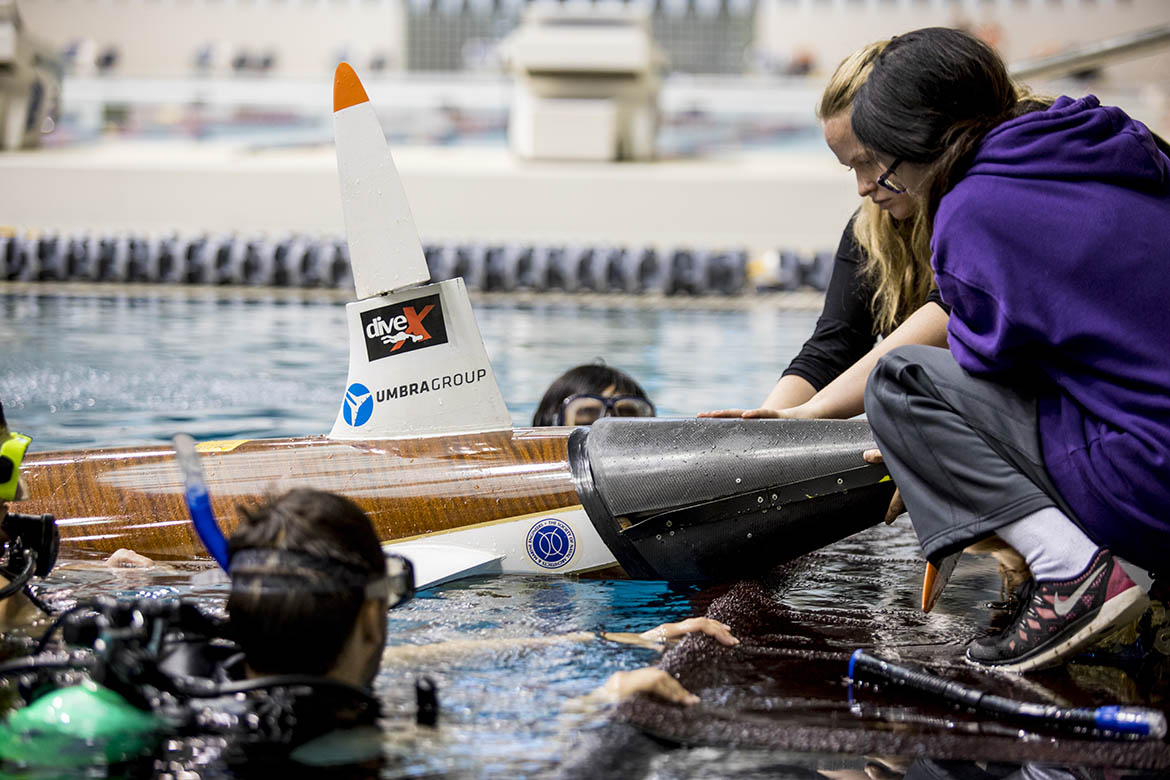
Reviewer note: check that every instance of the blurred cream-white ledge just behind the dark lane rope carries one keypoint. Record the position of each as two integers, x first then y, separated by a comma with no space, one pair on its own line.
753,199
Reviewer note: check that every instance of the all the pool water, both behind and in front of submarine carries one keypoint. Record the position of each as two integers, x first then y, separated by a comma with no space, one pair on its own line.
125,369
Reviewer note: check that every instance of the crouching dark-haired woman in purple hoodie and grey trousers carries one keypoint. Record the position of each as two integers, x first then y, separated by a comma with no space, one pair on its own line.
1048,422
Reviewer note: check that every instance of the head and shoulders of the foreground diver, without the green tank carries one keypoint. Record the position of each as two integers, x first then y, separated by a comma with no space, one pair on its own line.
311,591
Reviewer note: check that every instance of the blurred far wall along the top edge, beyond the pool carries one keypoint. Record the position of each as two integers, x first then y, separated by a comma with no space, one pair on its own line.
307,38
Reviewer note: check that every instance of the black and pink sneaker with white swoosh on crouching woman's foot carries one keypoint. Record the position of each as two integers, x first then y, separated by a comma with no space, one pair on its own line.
1058,619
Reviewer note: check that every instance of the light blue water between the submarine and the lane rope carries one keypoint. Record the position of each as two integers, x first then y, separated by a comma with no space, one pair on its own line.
99,371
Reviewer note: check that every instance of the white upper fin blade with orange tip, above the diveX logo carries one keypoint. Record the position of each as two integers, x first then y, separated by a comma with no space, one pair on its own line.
386,253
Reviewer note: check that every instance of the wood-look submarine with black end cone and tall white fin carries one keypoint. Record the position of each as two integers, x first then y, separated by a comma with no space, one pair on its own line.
424,444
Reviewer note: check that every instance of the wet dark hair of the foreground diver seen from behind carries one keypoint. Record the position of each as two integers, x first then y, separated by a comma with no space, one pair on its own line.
294,613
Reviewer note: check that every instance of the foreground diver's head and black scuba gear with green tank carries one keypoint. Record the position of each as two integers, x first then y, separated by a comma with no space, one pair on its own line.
285,679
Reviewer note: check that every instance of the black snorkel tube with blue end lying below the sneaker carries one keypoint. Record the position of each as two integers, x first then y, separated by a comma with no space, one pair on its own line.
1123,721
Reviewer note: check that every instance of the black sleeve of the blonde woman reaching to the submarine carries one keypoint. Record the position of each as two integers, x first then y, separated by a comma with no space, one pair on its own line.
845,332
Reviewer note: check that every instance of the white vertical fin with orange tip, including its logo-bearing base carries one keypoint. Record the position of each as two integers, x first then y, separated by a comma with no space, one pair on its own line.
418,367
